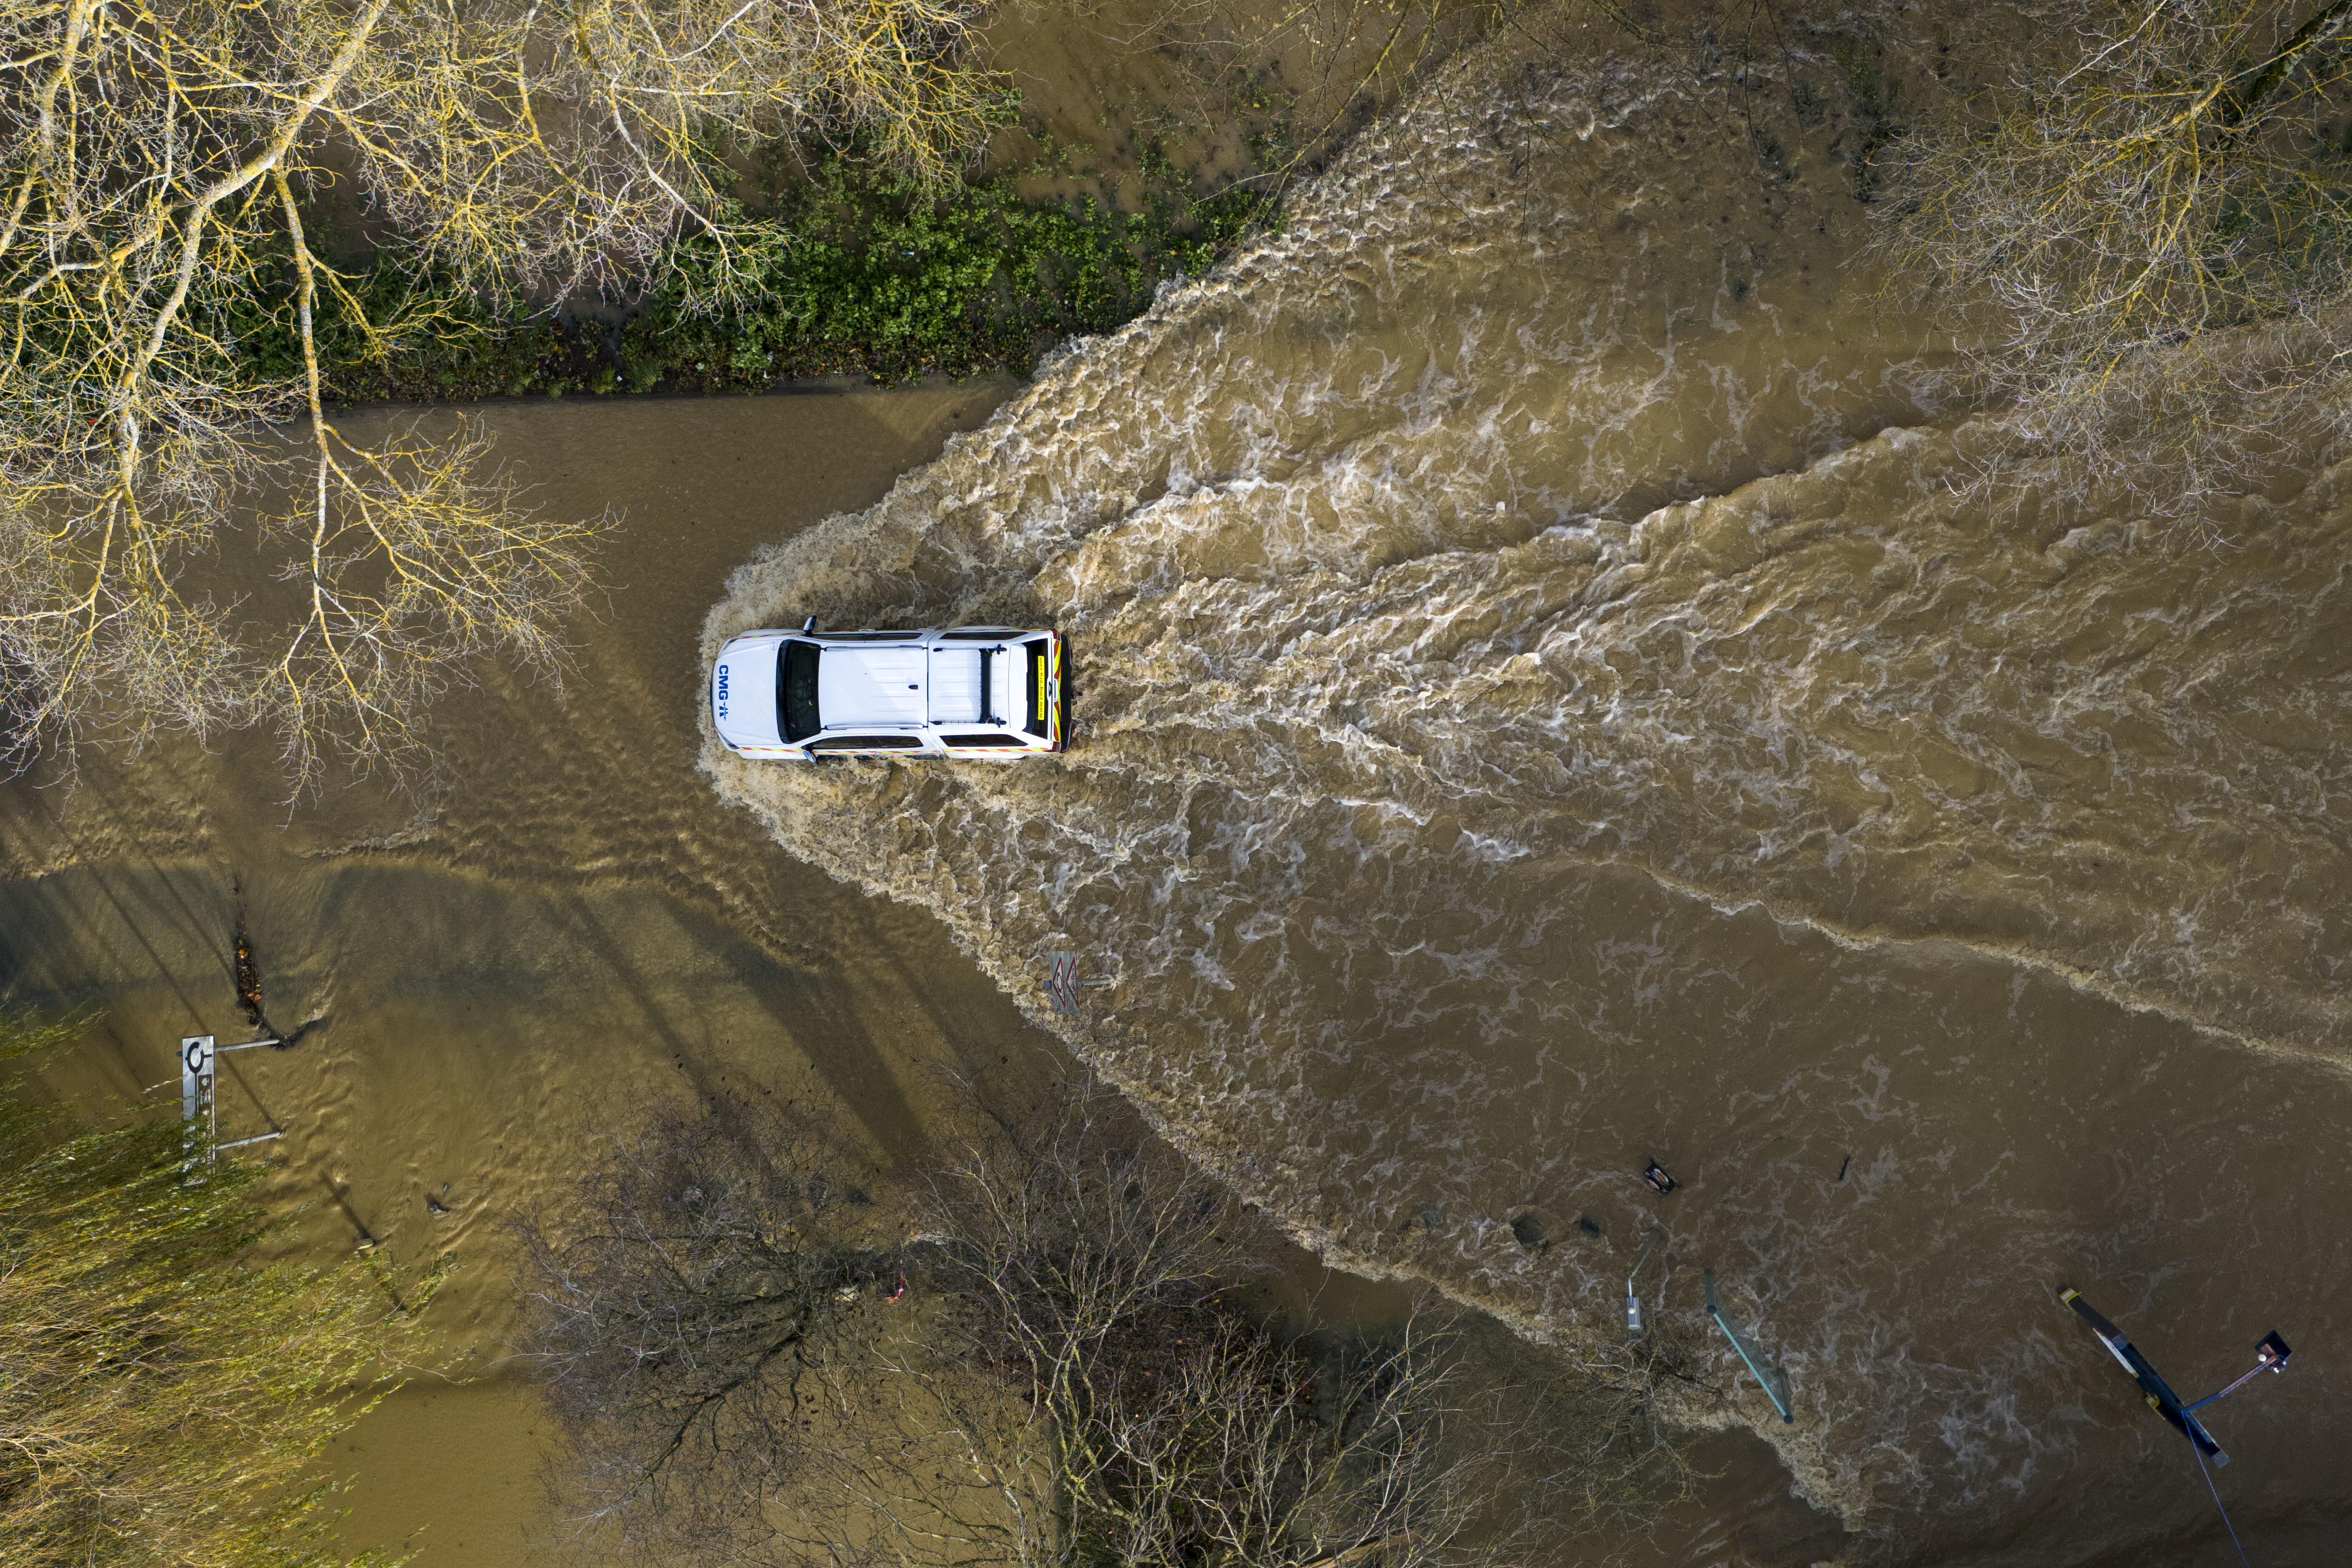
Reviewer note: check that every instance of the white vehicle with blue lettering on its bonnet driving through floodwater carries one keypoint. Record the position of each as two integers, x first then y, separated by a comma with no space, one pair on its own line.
961,692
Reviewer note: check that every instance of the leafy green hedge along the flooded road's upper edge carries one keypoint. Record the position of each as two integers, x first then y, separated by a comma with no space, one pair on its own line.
857,272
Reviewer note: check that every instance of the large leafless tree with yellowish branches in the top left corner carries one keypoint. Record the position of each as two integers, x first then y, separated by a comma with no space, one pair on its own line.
156,159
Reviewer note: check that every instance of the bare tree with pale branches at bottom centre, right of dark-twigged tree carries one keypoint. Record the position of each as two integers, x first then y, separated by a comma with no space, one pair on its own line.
1097,1395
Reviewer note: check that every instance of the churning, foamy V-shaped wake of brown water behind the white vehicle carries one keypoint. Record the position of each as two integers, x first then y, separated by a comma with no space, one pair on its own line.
1551,695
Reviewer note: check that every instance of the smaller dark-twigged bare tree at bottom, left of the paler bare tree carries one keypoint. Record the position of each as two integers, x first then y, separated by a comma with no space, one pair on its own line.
693,1306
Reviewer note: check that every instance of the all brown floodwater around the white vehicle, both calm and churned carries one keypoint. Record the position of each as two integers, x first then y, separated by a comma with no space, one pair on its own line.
1546,699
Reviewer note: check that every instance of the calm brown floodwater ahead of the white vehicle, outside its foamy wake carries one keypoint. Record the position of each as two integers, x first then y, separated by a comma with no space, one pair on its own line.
568,932
